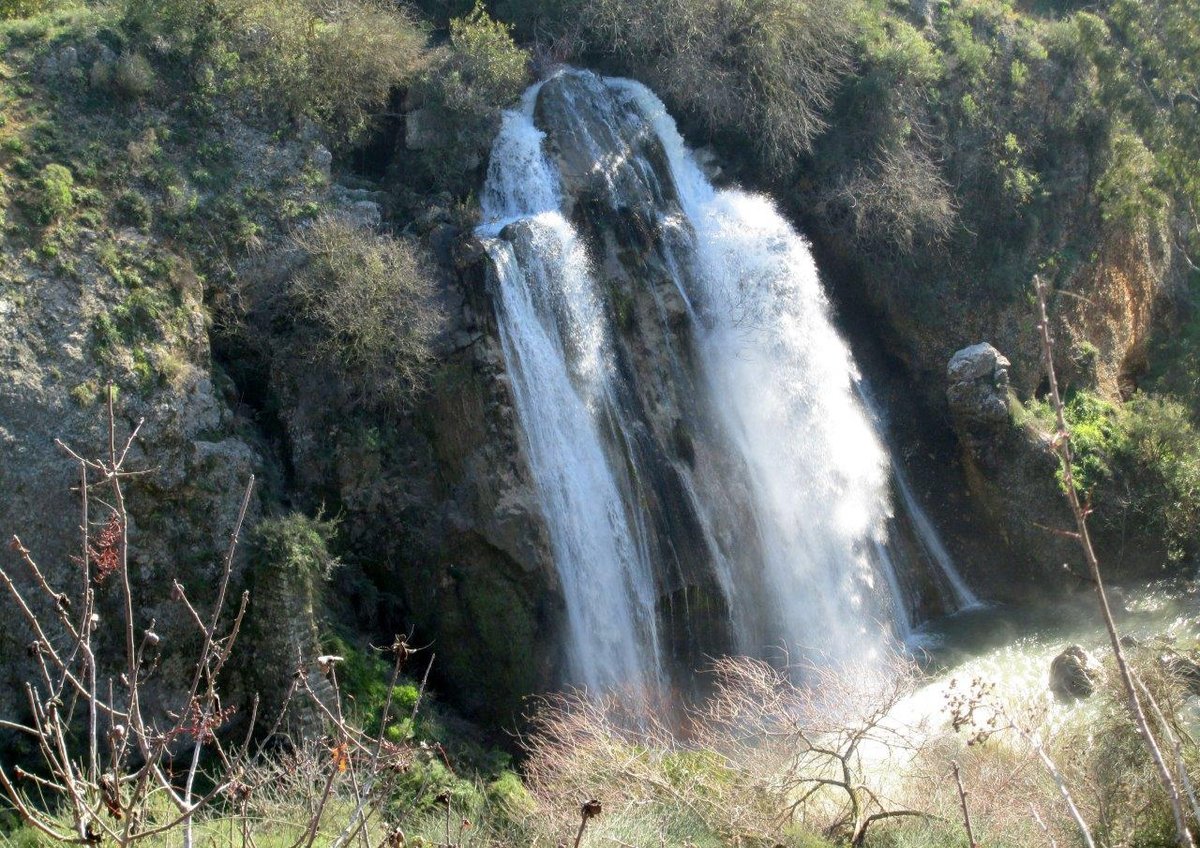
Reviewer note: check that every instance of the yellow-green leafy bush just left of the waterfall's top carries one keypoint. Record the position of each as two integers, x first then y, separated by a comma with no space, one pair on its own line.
463,93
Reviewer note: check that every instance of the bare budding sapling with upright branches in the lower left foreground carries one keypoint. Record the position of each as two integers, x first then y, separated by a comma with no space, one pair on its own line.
107,785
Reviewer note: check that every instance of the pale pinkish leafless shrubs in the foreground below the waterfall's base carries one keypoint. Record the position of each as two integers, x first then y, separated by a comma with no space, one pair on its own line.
760,755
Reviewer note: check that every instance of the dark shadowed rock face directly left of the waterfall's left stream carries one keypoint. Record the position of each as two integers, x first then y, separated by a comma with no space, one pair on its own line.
440,507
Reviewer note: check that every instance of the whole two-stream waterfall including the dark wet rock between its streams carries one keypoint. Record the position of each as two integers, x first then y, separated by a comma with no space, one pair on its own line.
711,479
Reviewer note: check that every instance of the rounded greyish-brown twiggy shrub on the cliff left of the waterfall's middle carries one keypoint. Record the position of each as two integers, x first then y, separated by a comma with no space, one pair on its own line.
370,299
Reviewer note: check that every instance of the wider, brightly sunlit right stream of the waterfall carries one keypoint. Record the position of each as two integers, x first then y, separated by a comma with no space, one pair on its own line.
782,380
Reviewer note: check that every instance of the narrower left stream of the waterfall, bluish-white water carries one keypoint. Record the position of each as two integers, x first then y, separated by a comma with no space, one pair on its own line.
554,340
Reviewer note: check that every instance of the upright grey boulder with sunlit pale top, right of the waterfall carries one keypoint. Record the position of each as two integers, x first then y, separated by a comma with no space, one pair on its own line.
977,394
